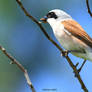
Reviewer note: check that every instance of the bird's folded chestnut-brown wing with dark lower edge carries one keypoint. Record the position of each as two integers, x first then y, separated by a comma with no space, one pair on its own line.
76,30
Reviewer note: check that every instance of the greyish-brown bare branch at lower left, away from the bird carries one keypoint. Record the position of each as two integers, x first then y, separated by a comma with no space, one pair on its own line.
14,61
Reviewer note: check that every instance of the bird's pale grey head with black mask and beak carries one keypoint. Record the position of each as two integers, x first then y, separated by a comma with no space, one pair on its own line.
55,15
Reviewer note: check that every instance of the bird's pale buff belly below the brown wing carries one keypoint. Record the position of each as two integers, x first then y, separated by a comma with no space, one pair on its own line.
69,42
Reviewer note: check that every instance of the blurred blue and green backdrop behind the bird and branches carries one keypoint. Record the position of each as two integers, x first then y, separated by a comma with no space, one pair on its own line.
23,39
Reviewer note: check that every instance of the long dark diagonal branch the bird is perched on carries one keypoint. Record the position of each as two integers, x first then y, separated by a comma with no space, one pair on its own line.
55,44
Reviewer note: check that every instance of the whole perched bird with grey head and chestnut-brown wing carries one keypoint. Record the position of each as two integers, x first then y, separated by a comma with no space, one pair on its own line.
70,34
